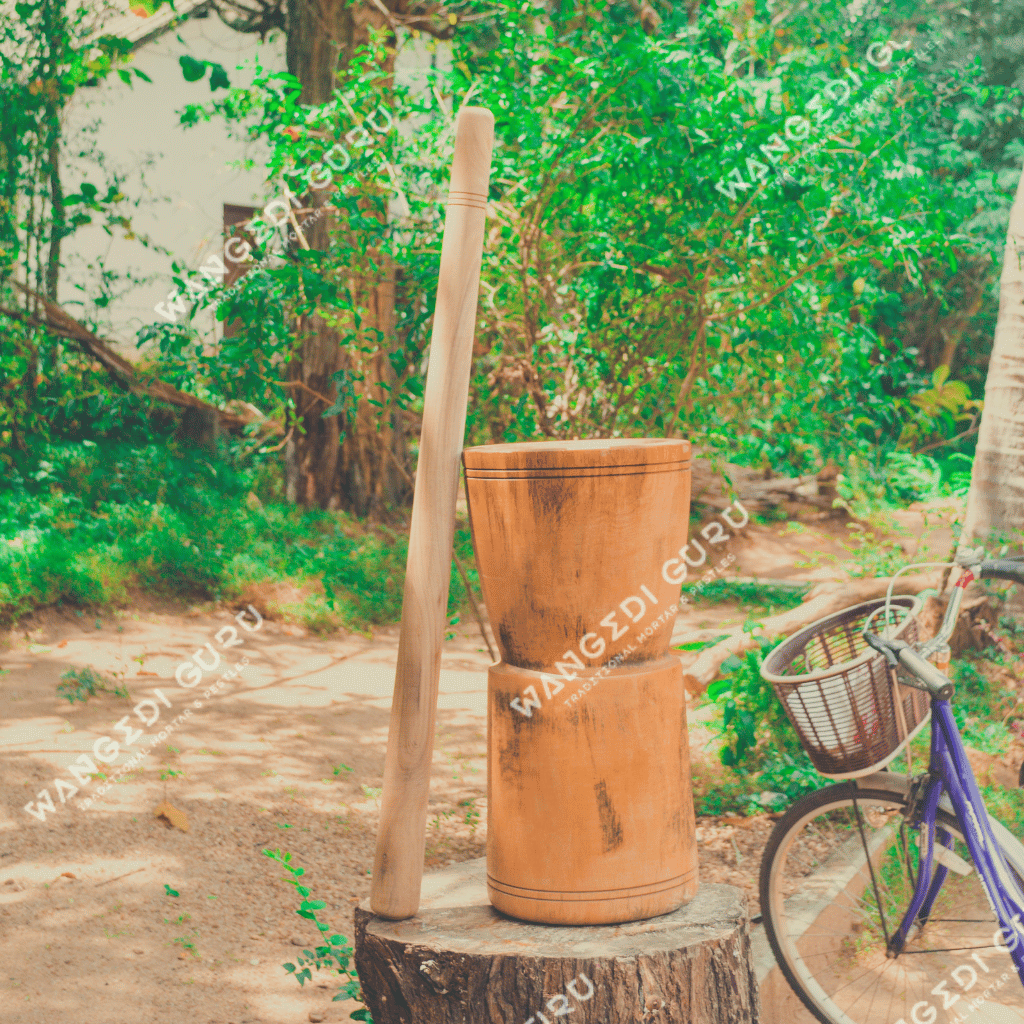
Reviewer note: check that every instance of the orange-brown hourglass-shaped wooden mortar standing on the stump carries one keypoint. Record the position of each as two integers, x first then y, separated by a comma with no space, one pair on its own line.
590,812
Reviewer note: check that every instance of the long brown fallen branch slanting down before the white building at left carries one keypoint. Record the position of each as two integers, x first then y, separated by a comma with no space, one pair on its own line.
124,373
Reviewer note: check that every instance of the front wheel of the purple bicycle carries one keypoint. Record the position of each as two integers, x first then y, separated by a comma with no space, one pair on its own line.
836,880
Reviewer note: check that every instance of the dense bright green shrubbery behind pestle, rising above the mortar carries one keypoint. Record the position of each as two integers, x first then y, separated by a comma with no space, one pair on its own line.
625,289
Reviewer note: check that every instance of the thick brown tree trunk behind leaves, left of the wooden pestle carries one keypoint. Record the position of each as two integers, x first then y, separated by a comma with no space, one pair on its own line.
353,461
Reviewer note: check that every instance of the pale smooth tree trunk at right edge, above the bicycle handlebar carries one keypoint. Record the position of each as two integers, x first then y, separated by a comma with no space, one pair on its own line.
996,502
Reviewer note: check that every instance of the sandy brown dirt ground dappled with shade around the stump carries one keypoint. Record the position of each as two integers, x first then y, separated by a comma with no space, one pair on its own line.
288,754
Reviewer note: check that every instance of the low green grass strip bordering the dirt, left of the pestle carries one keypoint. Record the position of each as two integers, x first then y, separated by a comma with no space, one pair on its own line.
101,522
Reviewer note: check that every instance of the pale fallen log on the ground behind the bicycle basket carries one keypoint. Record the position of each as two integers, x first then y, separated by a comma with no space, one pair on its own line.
824,601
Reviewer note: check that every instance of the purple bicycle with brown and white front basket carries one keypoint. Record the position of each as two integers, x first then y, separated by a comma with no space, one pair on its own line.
894,899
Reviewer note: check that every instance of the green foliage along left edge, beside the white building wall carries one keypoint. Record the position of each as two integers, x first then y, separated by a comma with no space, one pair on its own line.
61,50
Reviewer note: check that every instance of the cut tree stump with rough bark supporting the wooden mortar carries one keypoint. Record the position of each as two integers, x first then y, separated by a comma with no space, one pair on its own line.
461,962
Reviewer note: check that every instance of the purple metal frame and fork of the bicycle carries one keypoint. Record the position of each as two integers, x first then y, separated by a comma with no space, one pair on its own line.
951,772
